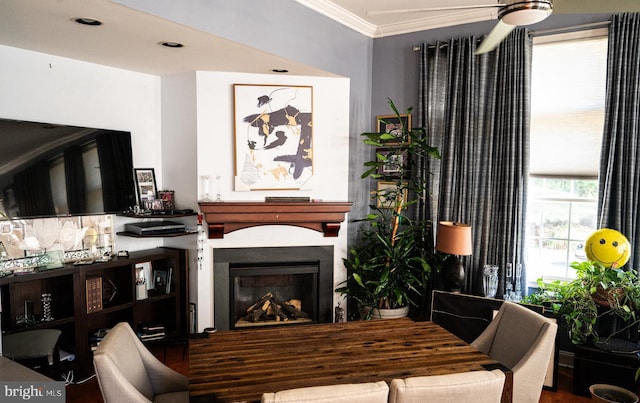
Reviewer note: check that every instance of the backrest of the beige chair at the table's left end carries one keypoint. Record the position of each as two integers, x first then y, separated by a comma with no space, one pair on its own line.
118,364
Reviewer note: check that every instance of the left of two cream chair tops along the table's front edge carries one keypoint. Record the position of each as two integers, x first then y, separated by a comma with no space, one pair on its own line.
371,392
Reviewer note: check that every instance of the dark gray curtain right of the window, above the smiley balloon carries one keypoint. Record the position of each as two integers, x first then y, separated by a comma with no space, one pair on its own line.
619,188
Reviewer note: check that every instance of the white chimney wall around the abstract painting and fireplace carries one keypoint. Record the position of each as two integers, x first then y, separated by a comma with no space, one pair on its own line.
216,157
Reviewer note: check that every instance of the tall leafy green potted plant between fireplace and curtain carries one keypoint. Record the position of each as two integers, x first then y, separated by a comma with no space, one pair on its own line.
389,267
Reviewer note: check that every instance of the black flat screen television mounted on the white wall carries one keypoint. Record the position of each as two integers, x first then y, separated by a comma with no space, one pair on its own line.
56,170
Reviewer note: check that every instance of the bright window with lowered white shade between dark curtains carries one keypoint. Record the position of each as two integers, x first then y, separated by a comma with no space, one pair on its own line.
567,120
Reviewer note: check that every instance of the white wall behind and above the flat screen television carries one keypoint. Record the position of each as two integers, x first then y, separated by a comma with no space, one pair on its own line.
44,88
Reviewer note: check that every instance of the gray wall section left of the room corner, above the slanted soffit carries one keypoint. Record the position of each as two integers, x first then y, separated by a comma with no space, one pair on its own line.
287,29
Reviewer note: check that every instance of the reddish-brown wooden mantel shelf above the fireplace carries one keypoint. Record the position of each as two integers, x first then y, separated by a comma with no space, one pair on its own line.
322,216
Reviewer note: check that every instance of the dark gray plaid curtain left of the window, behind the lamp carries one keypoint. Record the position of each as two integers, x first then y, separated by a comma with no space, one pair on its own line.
476,111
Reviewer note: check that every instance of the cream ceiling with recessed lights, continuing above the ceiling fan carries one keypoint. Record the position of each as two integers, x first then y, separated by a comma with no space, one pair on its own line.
130,39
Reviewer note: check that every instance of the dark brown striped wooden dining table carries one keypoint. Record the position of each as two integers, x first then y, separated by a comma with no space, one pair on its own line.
240,365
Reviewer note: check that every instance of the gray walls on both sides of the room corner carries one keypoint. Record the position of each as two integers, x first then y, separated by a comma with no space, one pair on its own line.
378,69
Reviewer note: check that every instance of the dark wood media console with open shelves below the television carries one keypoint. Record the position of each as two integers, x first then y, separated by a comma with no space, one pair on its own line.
68,289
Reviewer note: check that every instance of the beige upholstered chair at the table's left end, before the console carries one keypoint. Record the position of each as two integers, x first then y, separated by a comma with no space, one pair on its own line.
128,372
